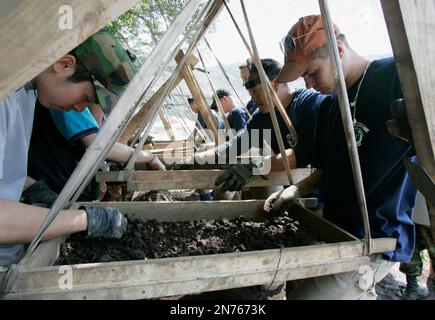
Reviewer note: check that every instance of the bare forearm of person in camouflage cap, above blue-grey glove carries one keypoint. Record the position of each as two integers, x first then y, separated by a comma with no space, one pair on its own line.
19,222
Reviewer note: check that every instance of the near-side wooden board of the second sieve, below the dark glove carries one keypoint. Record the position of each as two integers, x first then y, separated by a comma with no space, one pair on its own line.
192,179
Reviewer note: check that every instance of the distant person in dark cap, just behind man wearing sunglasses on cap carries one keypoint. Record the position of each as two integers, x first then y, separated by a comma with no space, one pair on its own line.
236,116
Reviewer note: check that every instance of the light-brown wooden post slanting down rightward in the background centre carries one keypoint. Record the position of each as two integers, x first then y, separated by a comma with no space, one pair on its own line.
198,96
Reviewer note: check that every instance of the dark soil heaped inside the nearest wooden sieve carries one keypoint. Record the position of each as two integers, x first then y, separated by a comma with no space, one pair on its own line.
151,239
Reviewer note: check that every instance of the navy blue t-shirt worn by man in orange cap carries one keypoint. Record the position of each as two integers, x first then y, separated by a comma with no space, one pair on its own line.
389,193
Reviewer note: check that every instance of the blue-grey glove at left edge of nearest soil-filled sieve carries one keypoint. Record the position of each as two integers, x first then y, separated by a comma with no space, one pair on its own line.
105,223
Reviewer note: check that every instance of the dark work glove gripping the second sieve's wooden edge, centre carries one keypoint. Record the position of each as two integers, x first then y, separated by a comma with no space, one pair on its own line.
237,176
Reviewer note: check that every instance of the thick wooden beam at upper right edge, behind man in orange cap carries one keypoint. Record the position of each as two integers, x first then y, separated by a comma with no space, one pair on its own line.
412,28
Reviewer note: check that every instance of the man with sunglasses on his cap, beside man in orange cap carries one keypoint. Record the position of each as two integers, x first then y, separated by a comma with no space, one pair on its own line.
302,108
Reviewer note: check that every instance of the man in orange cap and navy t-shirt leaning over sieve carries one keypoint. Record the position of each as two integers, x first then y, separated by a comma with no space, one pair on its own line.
372,87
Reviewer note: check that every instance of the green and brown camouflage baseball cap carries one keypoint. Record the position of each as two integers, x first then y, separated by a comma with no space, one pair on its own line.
110,65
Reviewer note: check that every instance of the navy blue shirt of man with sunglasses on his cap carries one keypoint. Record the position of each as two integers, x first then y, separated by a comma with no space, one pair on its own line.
302,112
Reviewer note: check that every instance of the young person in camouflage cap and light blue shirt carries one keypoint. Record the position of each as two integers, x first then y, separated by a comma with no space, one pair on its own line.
66,85
